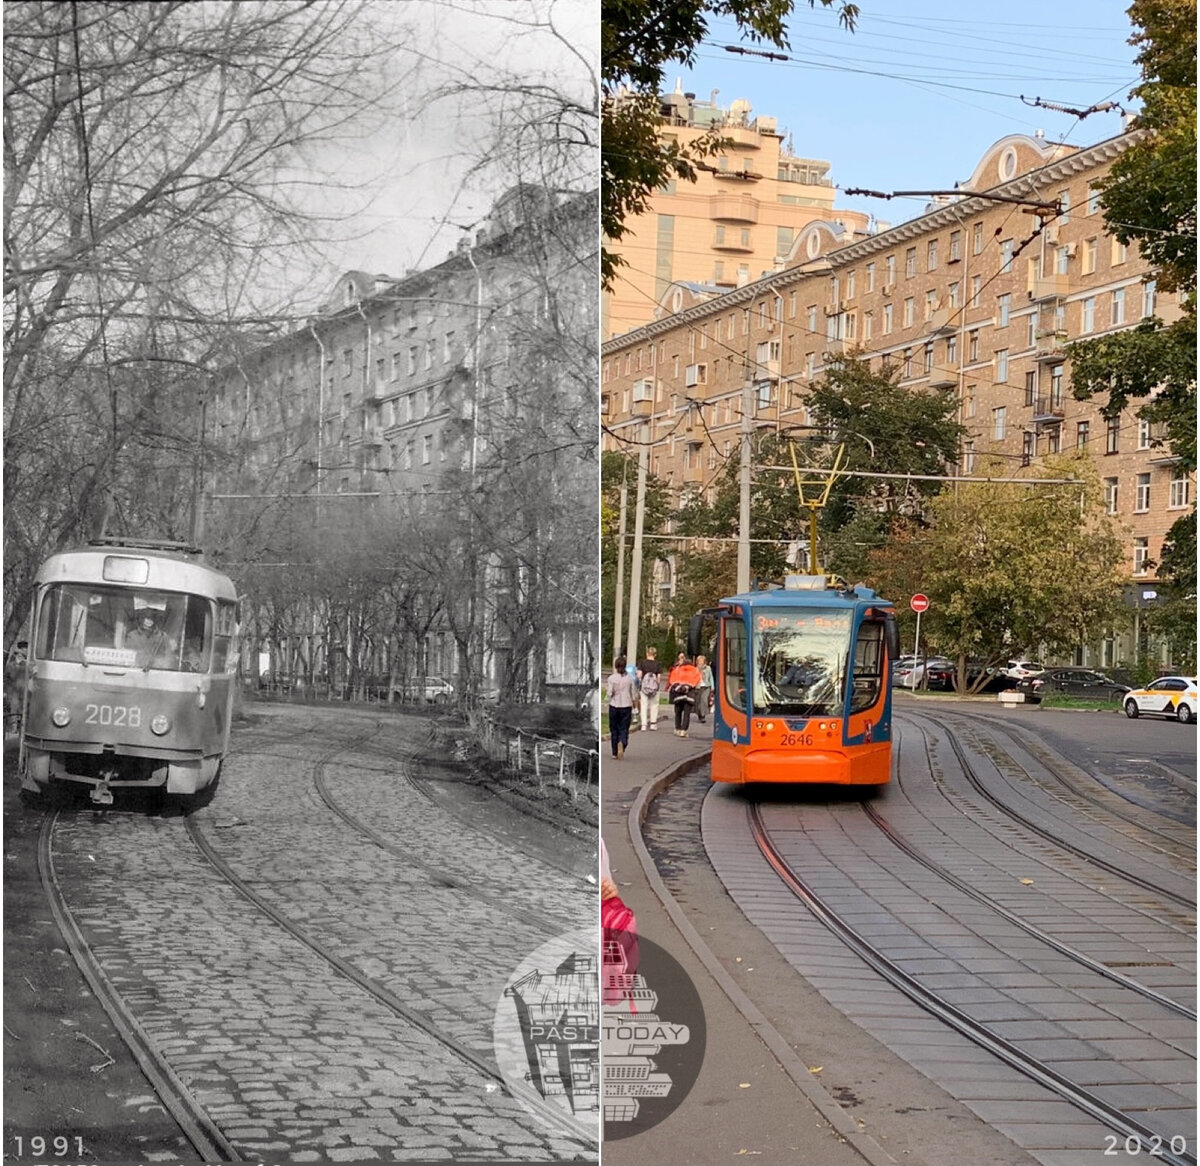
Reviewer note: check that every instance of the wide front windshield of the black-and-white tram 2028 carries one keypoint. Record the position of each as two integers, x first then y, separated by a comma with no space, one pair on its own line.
127,628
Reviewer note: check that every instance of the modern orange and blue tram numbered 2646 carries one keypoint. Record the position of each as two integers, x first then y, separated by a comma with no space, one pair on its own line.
802,684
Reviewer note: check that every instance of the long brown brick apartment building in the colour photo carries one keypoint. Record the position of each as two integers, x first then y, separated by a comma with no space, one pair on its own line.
970,299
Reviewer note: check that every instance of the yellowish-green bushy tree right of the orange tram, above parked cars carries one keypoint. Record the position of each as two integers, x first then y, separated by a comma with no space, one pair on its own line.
1010,568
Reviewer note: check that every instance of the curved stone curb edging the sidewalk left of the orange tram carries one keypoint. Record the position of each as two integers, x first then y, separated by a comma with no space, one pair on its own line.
842,1125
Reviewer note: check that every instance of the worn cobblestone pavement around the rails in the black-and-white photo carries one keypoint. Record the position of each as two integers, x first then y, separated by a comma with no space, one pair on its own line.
285,1054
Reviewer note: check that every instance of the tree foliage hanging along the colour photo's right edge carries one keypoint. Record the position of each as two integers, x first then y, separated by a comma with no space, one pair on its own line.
1150,200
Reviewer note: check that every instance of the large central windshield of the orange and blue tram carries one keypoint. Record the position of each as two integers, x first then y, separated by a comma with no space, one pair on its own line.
800,662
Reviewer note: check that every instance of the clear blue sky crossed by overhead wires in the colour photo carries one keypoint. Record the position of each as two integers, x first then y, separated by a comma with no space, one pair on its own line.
913,99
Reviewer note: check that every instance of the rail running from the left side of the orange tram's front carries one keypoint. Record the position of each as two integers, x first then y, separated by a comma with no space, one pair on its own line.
1127,1127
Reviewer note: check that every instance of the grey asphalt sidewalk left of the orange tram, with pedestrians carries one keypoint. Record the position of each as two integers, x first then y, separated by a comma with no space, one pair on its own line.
743,1103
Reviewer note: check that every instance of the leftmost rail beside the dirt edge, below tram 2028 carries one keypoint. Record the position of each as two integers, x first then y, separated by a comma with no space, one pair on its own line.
194,1121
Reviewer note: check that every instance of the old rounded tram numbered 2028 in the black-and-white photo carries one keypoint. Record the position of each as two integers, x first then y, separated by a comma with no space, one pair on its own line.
131,670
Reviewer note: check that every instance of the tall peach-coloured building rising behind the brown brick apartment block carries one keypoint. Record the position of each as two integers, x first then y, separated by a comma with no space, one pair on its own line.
739,220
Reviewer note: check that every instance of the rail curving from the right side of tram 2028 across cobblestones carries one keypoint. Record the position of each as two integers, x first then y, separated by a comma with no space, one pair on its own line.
550,1114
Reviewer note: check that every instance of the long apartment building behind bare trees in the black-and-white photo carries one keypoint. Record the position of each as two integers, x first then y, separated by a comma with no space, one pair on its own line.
423,390
